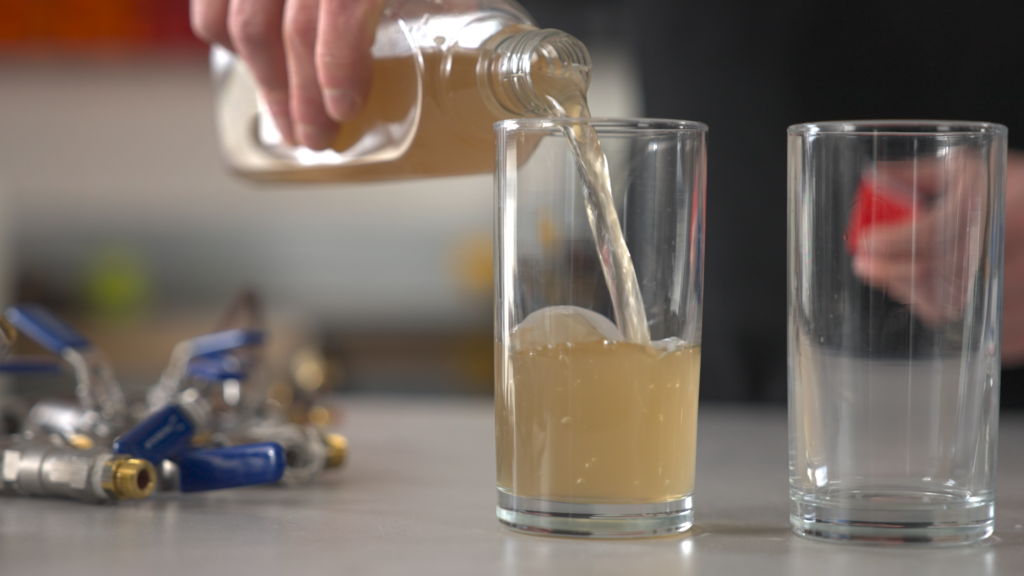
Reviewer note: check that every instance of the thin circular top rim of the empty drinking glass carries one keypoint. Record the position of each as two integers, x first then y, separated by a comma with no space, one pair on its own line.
898,128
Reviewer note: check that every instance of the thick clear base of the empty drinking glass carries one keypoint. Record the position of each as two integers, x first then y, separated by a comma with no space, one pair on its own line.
892,517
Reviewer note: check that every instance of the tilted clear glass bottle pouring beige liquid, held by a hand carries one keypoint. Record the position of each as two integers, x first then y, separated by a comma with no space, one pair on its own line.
445,71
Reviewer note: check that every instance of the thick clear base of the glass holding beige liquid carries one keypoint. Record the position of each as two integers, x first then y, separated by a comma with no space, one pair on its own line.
594,521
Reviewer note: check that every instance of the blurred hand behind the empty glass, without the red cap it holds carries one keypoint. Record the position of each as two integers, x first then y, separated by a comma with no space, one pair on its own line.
935,283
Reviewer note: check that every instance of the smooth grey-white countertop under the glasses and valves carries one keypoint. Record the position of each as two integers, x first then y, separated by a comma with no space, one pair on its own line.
417,497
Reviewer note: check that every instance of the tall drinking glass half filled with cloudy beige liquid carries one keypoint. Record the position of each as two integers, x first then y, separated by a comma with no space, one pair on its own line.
596,424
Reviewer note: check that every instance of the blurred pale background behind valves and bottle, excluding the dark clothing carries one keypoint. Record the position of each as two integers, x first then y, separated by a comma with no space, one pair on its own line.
116,211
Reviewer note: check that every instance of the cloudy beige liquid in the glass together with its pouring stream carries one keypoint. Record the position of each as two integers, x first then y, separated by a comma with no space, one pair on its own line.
599,421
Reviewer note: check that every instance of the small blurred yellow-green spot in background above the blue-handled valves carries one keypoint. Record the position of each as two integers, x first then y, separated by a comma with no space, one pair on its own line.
119,283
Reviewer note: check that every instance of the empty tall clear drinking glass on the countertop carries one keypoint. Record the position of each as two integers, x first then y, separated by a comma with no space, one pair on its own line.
895,298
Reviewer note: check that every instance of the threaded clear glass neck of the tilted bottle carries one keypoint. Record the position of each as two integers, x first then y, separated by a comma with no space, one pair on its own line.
533,73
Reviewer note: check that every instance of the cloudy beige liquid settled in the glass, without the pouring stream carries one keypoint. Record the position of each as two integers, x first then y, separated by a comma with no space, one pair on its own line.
600,422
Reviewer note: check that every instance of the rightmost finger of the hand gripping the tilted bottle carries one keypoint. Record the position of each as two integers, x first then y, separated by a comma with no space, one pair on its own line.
344,61
